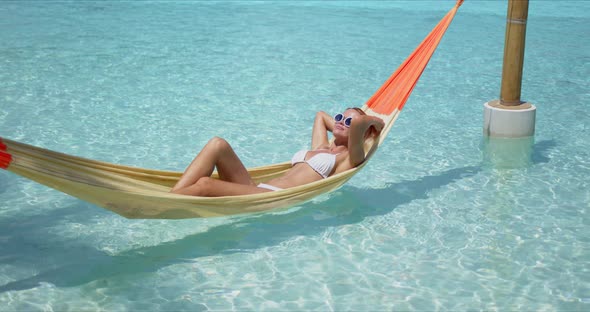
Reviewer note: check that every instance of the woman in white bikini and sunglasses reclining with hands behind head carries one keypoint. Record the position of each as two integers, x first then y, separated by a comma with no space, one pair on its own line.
350,129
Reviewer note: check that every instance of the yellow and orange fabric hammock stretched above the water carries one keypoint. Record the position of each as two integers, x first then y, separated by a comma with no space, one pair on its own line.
144,194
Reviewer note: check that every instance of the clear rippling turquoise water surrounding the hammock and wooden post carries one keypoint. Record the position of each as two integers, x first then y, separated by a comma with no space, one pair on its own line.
427,225
